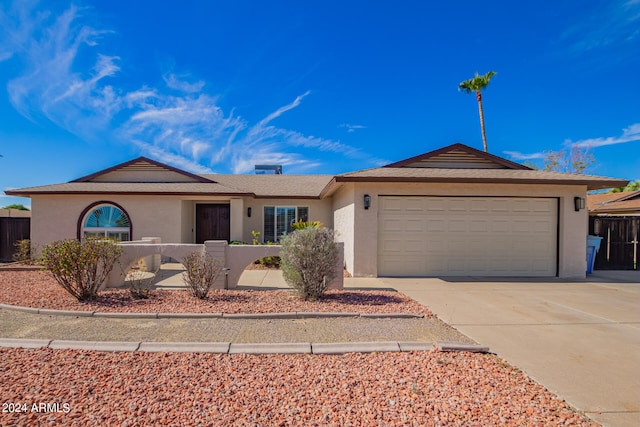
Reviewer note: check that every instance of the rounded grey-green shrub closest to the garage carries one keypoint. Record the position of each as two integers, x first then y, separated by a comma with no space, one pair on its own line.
309,257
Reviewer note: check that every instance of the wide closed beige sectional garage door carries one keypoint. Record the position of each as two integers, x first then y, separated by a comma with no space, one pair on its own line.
467,236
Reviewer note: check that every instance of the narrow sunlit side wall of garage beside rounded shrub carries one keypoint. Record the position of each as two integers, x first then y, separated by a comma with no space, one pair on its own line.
343,220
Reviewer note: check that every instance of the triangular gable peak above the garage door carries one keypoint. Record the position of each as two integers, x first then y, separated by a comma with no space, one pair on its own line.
457,156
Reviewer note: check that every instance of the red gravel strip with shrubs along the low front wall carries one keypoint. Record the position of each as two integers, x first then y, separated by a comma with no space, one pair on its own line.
39,290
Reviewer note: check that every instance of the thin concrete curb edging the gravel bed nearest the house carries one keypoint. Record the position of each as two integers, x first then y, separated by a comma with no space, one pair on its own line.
288,315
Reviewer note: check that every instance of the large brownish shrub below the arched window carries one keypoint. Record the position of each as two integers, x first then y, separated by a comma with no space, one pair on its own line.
81,267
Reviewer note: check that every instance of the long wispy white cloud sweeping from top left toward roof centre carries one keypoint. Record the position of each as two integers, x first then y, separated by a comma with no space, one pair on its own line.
178,123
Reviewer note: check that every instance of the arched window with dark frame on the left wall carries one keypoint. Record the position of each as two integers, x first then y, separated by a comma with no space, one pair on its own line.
106,220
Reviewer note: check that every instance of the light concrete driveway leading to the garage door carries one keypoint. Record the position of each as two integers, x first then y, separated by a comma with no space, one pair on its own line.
580,339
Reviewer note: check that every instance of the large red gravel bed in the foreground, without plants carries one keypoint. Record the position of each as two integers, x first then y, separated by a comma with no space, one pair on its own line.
375,389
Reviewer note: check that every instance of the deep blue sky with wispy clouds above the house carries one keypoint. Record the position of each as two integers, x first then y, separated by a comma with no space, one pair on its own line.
319,87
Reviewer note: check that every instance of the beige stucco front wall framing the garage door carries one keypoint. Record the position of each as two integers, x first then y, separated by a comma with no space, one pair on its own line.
572,226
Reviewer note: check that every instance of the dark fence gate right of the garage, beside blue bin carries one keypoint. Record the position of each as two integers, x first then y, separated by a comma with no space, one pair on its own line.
619,249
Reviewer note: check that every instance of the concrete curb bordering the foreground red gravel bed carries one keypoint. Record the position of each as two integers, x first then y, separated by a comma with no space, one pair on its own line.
240,348
